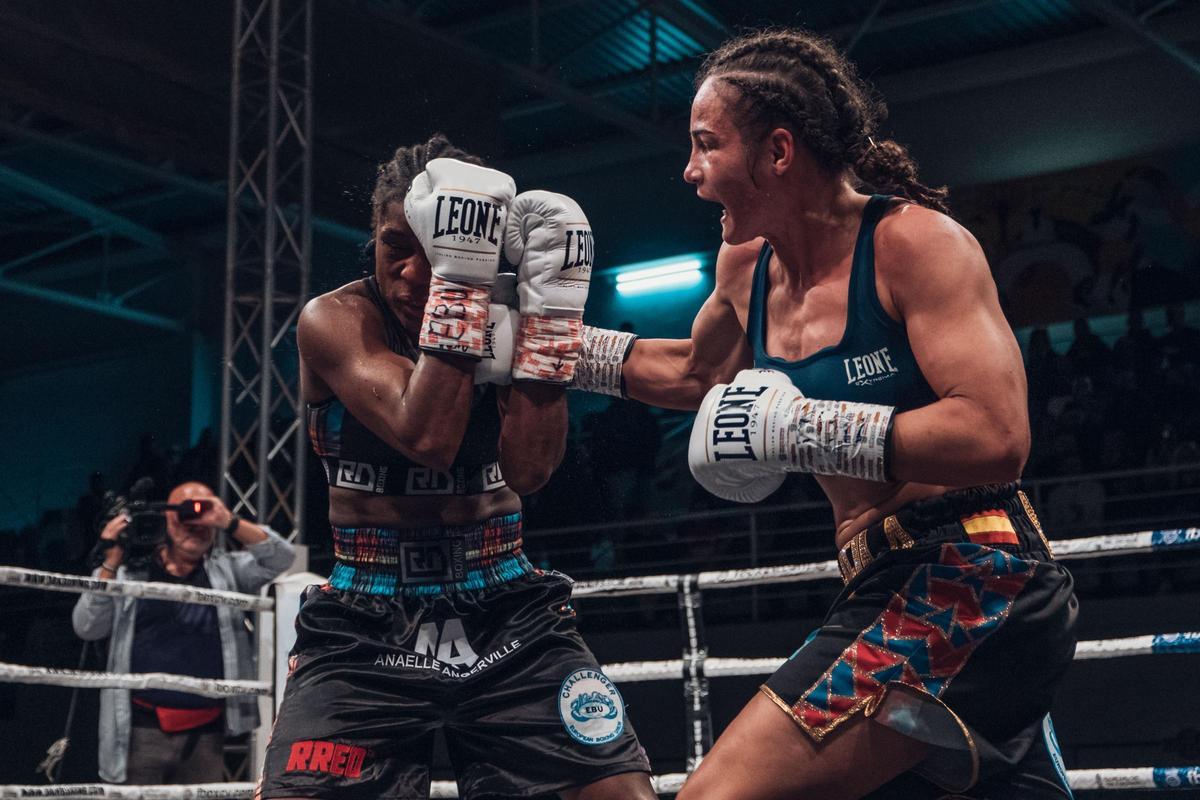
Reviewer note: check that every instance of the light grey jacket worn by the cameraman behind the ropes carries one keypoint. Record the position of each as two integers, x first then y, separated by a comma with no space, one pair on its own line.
97,617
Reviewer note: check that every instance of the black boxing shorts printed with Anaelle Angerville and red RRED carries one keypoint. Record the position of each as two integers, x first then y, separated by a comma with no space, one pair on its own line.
502,671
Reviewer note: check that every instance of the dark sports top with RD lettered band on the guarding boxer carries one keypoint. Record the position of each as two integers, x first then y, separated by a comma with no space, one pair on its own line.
356,459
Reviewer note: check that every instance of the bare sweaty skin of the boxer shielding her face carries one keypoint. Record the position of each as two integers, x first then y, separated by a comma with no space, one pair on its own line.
421,410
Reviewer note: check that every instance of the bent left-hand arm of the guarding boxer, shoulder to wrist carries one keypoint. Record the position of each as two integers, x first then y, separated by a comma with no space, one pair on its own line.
419,410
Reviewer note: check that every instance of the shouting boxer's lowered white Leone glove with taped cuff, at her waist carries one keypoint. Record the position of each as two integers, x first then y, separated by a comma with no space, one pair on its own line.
749,432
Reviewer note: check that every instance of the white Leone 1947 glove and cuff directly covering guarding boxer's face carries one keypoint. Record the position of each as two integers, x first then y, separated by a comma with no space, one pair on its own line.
459,213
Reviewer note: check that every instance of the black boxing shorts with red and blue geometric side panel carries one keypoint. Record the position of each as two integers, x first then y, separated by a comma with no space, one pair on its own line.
955,628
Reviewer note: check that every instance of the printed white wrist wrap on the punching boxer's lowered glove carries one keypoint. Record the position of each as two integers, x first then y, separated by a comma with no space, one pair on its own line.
839,438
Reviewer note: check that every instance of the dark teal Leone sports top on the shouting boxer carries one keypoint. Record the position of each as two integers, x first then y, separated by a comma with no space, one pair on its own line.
874,363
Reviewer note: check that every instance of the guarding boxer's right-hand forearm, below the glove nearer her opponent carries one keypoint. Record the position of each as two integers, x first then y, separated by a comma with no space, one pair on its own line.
533,434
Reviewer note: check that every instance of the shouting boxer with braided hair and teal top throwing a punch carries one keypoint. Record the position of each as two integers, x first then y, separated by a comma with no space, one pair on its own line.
855,334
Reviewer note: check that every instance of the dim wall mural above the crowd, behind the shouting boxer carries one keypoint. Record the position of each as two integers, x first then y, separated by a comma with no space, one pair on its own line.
1090,242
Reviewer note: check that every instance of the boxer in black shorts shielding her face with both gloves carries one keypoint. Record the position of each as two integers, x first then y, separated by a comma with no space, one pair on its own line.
434,619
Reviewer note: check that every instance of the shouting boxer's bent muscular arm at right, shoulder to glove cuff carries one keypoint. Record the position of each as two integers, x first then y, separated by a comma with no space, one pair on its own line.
979,431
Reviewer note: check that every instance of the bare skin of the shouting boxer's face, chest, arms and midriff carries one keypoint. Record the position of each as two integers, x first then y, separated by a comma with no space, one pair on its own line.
931,275
